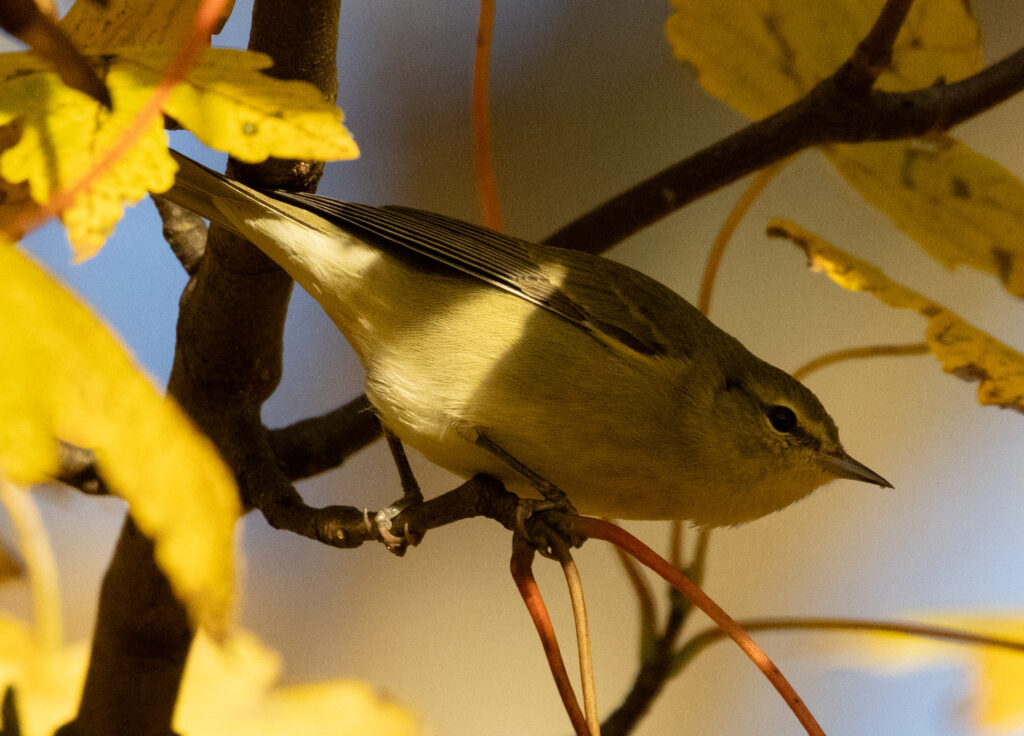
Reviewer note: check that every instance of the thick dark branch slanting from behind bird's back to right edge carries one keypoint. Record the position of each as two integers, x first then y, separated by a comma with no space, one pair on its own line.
832,113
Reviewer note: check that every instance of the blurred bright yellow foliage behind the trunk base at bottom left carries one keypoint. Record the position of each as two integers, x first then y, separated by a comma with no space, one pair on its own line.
228,690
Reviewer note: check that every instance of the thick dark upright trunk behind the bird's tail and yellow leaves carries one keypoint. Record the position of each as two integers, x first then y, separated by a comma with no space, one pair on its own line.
227,364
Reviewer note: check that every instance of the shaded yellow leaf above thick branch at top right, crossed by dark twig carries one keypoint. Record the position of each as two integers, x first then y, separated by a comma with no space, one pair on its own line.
760,56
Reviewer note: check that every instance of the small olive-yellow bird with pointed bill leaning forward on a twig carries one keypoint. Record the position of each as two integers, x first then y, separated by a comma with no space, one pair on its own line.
562,374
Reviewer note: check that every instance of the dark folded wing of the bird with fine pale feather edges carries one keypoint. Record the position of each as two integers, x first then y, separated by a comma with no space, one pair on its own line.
605,298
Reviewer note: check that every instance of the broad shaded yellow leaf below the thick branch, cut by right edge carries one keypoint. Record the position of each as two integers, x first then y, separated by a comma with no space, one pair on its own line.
962,207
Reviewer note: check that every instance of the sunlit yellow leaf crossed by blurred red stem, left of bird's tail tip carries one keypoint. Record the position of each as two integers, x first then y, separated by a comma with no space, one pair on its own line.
66,134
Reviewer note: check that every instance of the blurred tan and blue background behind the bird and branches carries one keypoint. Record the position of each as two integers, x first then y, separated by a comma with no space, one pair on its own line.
586,101
